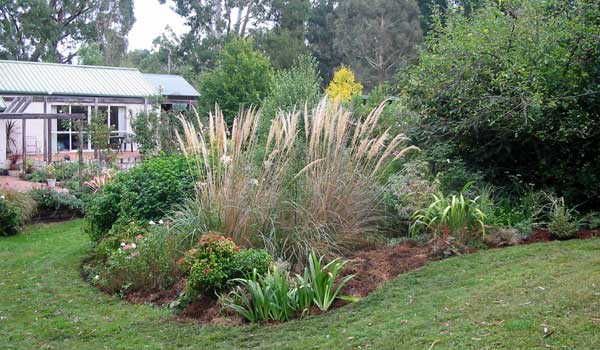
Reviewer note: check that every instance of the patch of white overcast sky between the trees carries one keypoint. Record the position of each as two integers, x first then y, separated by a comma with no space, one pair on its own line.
151,20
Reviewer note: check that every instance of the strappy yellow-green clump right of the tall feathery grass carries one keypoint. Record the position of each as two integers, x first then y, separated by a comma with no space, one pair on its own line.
455,213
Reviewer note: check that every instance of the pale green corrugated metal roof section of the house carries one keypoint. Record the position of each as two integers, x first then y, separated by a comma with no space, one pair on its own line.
18,77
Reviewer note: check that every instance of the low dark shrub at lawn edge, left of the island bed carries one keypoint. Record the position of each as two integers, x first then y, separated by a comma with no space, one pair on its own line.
50,203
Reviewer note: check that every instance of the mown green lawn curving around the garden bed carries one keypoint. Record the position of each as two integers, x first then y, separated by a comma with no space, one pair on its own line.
489,300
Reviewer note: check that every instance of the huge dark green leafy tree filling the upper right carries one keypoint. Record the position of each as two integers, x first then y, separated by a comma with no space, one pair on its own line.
513,90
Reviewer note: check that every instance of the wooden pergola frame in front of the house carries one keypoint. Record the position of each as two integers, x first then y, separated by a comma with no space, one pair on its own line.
15,112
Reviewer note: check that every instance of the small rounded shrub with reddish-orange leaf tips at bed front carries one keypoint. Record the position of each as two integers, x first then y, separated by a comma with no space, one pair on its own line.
217,260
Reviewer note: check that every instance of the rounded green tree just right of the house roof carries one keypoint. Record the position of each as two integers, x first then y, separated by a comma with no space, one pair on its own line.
241,79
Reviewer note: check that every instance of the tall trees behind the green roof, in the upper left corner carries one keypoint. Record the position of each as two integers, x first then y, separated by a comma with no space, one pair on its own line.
49,30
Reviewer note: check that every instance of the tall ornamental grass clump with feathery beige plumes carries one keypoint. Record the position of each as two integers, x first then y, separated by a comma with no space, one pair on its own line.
315,188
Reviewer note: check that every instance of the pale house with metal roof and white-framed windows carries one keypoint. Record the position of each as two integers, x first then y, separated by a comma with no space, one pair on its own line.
119,93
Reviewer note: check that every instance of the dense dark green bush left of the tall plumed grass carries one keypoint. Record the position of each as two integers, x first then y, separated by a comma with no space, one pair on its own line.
144,193
